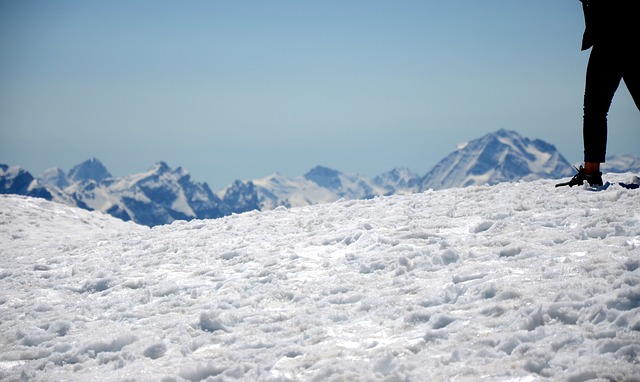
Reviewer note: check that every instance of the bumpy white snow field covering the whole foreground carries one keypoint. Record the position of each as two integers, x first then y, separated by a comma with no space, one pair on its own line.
515,282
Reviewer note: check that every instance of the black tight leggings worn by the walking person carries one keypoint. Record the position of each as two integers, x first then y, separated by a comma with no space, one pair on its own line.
608,64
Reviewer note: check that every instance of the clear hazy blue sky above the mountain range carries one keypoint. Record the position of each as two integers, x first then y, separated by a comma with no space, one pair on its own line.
241,89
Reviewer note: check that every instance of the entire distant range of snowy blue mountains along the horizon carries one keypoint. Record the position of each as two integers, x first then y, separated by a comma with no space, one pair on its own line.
162,195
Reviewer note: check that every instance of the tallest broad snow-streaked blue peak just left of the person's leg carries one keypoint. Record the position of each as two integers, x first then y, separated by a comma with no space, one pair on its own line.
503,156
